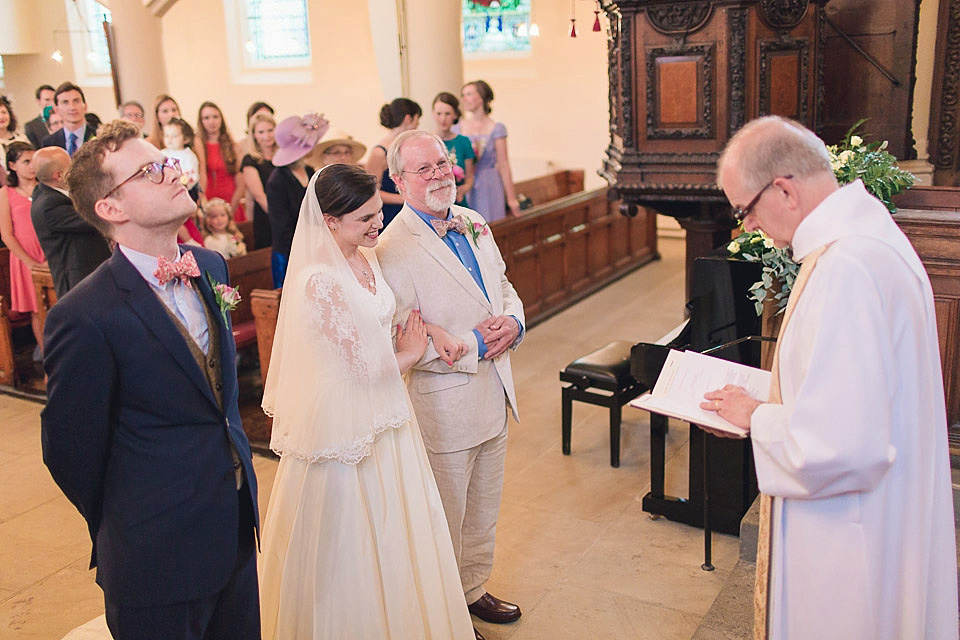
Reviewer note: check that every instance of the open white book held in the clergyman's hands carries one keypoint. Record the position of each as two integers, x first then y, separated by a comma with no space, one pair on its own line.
687,375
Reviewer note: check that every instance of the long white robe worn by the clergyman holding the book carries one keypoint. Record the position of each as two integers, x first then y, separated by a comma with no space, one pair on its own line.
856,455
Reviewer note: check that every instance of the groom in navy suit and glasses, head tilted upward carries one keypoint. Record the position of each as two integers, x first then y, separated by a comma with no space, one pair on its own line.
141,430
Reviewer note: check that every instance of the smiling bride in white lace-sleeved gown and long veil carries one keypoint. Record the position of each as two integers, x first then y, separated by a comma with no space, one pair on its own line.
355,543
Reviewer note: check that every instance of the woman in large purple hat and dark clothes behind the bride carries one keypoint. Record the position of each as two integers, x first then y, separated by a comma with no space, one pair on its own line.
287,185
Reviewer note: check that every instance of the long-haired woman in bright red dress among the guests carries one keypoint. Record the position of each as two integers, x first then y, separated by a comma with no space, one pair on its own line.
219,164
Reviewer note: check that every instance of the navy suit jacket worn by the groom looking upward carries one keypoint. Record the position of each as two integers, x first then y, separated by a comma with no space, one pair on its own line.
134,437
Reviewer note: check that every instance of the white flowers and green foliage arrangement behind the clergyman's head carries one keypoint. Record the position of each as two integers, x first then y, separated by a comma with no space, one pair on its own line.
850,160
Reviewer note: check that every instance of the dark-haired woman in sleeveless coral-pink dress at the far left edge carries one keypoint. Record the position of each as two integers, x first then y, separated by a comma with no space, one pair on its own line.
17,233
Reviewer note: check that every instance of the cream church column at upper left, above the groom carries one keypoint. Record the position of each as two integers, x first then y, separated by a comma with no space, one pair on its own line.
139,56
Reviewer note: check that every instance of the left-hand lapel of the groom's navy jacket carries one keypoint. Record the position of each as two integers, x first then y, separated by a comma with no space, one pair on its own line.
149,308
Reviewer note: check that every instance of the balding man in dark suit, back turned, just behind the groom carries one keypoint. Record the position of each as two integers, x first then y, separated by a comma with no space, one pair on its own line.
72,246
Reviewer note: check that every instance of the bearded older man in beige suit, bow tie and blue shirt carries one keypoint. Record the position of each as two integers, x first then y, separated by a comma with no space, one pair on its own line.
442,259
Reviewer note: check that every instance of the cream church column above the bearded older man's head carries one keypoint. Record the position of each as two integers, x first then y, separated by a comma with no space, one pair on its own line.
417,44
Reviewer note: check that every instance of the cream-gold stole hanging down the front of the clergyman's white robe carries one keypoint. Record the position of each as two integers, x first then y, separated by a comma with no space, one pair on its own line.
761,593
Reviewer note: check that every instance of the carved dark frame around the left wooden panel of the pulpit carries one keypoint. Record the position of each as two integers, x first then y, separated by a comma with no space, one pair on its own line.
704,57
